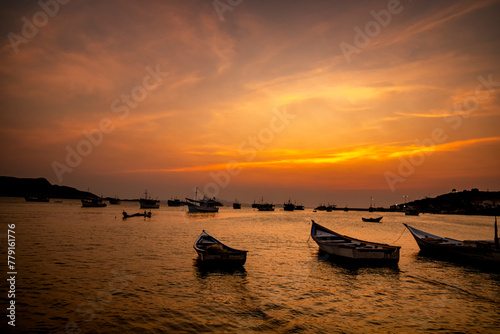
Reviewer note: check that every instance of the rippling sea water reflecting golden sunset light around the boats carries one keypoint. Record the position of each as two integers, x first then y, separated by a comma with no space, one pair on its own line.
86,270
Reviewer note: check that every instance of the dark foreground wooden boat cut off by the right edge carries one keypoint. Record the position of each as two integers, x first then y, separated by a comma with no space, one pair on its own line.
477,251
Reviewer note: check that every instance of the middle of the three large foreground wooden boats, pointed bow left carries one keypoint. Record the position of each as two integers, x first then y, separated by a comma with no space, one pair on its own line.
353,250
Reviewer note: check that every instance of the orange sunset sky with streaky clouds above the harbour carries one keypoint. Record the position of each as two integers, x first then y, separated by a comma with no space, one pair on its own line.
316,101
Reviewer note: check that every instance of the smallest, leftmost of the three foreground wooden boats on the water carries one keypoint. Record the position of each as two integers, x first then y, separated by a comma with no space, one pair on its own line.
213,252
